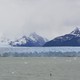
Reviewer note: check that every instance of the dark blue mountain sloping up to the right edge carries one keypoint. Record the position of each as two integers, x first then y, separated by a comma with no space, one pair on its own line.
71,39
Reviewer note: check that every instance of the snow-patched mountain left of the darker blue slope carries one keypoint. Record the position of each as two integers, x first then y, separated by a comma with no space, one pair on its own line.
32,40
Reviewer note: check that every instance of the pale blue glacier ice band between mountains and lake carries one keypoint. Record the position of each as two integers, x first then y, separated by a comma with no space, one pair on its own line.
40,51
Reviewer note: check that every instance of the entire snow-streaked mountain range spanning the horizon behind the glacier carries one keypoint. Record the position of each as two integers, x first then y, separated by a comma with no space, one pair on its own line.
35,40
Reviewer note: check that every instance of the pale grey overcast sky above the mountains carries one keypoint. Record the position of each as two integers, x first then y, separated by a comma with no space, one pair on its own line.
49,18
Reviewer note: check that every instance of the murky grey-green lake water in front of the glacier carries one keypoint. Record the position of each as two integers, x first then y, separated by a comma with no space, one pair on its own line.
40,68
